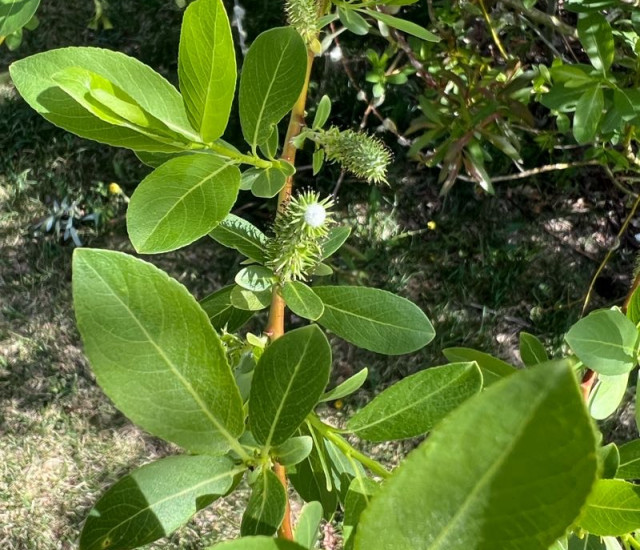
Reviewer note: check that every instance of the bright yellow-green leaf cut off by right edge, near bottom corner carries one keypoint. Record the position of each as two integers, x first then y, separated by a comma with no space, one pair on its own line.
612,509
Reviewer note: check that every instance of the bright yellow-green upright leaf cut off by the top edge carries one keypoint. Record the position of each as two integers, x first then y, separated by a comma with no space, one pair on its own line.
207,67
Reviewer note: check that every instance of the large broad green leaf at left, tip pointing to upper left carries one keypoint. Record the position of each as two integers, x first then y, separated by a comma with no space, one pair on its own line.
154,352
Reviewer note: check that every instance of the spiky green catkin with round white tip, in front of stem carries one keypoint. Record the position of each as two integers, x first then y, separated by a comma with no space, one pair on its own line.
300,230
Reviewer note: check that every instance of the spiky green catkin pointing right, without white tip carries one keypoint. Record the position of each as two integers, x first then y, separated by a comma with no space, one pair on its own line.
364,156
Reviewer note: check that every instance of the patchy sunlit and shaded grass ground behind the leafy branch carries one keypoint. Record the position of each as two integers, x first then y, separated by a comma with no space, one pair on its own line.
482,268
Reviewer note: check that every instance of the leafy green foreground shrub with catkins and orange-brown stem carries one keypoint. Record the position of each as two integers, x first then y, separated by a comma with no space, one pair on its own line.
512,460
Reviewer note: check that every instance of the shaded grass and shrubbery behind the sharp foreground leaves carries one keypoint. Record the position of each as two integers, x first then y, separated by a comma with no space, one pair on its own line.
504,250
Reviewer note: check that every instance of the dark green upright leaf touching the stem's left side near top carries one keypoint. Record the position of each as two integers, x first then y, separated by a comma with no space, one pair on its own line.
273,75
